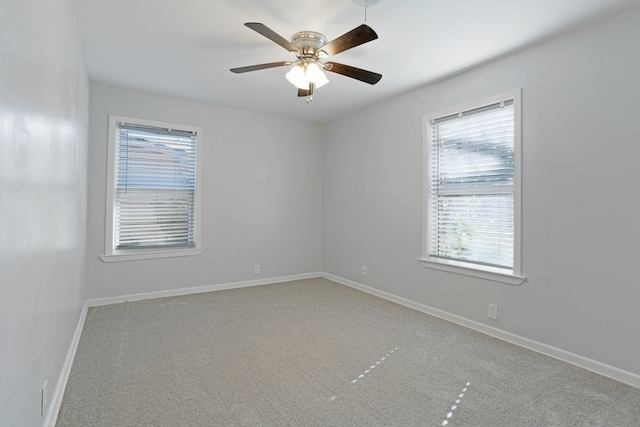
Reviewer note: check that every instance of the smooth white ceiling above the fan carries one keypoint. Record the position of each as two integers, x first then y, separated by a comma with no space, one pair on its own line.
184,48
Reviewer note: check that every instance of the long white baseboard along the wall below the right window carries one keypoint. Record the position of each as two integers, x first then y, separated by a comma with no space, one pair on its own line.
580,361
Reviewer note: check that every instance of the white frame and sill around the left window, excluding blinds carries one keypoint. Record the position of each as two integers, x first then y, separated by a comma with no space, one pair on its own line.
111,254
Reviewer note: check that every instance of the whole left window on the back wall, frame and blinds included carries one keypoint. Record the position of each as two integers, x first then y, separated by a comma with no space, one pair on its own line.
152,190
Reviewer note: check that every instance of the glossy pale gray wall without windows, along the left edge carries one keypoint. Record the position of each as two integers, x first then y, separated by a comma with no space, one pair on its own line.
43,157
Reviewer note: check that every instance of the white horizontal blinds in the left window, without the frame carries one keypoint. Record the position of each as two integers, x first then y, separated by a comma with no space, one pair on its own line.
155,187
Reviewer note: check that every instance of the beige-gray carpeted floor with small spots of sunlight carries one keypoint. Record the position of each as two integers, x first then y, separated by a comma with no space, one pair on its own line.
317,353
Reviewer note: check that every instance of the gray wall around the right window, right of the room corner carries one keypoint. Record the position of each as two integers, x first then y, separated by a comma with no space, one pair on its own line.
581,203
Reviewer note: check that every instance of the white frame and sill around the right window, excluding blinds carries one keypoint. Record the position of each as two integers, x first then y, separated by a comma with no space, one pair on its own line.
504,275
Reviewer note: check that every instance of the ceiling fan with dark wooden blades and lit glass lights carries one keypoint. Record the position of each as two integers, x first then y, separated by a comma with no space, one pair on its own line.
310,48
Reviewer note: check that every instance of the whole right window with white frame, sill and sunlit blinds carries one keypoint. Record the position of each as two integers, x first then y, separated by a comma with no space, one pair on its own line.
472,191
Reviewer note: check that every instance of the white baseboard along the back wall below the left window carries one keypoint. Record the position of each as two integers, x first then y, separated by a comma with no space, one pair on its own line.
199,289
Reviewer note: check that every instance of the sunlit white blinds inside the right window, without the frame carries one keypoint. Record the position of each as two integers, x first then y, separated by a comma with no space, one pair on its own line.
471,175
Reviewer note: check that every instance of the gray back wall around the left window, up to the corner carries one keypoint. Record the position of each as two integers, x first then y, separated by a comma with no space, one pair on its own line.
261,192
